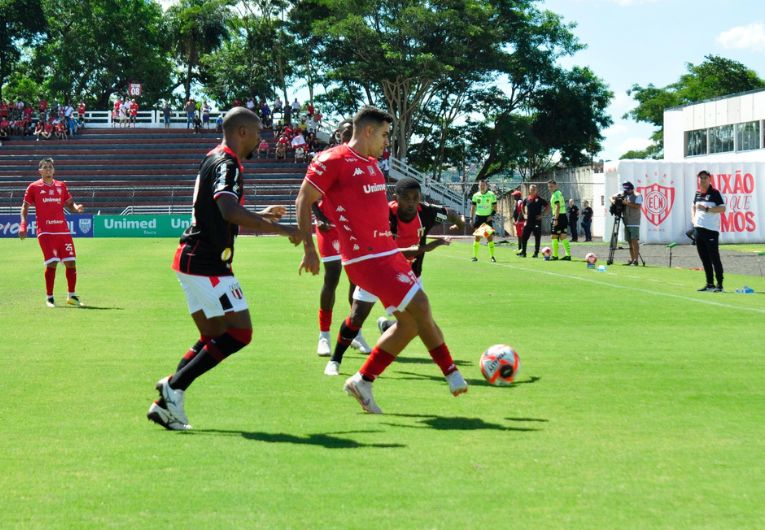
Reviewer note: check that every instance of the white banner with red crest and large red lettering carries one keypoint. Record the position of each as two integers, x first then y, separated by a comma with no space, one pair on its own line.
668,189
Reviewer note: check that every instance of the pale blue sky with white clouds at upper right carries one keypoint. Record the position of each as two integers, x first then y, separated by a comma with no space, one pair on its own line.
651,41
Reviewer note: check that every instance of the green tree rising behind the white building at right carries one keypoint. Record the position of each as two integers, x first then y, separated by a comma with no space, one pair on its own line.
715,77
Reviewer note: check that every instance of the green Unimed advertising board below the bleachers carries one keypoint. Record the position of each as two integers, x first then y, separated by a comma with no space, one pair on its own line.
140,225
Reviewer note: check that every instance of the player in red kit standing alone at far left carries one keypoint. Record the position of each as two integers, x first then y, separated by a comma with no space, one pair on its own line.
50,197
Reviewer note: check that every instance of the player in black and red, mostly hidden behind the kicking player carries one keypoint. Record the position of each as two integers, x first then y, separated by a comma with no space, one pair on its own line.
410,222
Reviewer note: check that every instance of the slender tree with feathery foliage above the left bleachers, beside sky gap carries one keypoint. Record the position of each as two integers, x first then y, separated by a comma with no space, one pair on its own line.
196,28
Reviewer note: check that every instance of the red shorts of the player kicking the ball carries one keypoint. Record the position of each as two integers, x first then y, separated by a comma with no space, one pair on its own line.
389,278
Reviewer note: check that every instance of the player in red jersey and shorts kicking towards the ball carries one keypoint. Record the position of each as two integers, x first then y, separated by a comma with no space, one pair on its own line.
348,178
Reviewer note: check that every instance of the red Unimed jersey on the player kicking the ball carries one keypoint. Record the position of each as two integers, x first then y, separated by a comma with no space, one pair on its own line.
355,201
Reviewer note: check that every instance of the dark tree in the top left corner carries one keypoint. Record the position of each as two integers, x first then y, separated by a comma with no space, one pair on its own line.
21,23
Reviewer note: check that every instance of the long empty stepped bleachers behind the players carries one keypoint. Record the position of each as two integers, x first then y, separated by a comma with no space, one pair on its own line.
111,170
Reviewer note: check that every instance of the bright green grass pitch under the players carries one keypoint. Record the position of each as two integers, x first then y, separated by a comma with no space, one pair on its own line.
640,402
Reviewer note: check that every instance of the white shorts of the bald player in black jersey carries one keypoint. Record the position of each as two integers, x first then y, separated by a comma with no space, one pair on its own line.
214,295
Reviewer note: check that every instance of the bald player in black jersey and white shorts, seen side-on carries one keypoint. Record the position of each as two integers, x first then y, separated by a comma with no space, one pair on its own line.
203,263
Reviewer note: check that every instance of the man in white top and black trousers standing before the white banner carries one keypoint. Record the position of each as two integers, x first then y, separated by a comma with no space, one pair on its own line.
707,206
